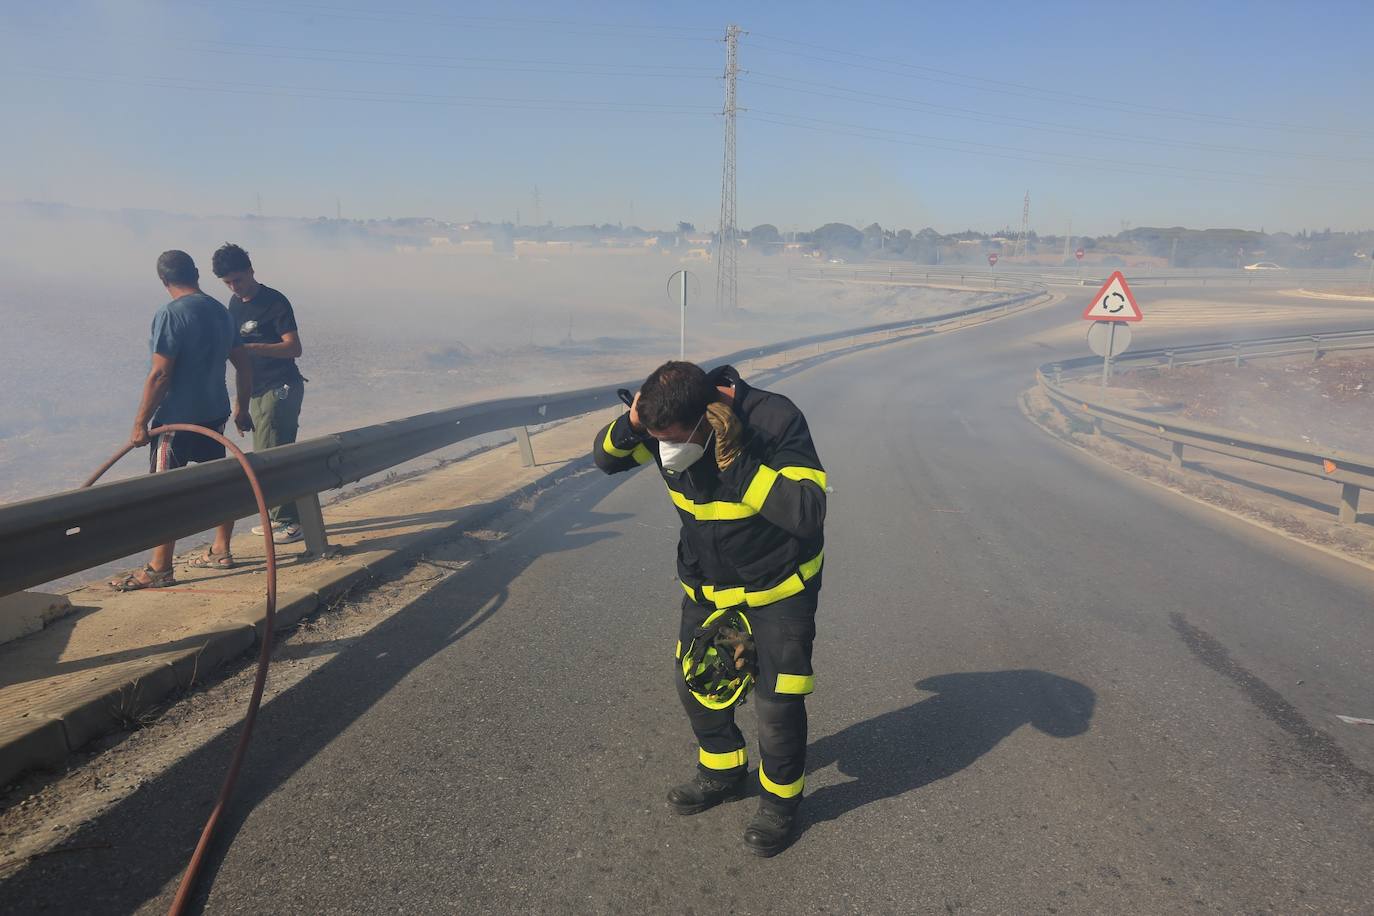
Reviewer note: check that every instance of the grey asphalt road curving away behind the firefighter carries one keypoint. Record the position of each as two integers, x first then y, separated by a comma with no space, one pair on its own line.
1042,687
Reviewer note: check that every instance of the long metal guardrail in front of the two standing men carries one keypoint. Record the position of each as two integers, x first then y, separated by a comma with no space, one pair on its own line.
54,536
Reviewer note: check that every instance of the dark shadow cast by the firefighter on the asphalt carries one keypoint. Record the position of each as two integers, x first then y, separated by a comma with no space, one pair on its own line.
917,745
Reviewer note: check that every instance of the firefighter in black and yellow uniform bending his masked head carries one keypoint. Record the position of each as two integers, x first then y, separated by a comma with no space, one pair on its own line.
744,474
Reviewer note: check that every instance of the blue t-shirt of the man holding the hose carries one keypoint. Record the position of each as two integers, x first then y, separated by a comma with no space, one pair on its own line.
199,334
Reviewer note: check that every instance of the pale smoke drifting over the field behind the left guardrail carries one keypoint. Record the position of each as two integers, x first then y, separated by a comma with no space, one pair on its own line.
392,325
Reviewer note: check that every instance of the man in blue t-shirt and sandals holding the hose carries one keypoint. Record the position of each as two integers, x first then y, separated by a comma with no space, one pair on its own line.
190,343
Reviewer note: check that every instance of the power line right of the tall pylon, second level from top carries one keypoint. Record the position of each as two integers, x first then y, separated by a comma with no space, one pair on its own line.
903,104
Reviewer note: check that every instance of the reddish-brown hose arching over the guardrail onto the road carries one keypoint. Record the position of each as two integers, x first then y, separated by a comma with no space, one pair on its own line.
183,895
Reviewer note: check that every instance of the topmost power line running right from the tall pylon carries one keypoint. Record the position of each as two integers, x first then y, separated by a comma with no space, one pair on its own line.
968,82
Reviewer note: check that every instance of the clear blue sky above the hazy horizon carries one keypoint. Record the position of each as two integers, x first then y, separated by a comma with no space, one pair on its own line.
1237,115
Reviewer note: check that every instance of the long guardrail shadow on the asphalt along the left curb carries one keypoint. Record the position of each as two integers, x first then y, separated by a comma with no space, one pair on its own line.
137,851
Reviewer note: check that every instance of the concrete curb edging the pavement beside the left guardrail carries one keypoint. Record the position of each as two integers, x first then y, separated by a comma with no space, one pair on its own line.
49,740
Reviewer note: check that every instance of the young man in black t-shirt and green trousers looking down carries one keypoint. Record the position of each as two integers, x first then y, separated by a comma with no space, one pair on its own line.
267,326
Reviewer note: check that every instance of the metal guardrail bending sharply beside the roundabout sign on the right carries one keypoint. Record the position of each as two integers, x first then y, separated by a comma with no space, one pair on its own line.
1353,470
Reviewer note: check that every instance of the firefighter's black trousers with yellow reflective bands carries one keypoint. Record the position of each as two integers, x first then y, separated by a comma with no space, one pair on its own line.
784,634
